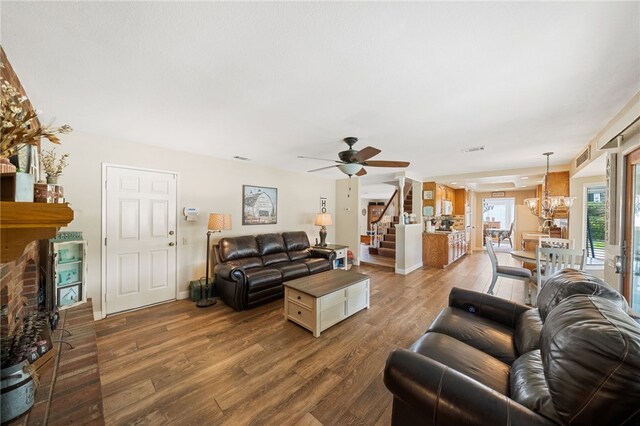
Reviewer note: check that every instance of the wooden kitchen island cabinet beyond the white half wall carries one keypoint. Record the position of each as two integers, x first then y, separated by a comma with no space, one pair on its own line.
441,248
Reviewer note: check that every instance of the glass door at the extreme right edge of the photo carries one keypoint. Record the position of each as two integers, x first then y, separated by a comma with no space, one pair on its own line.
632,230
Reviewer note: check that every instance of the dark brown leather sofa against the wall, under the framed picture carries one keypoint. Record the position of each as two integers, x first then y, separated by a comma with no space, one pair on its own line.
250,270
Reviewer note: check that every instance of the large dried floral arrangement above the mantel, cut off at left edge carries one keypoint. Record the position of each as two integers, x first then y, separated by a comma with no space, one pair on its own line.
20,124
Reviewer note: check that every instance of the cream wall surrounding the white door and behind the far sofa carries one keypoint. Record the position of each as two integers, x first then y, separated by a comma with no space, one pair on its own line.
213,185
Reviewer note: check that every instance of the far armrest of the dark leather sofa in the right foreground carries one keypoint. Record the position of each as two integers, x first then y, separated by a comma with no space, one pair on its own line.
491,307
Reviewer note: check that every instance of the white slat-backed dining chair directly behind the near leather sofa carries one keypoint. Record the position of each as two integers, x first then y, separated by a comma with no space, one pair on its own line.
549,260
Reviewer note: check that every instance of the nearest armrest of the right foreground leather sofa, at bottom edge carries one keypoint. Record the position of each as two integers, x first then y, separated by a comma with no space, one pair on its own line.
430,393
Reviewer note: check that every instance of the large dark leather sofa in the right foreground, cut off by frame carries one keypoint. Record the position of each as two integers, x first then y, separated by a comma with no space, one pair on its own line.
574,360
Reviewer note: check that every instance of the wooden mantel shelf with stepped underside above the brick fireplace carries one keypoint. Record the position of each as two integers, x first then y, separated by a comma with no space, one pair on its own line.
21,223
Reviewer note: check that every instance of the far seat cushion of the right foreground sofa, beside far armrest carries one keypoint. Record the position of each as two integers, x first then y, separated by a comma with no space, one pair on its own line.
484,334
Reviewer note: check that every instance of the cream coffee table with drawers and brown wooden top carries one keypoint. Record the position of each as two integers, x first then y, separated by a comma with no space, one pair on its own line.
321,300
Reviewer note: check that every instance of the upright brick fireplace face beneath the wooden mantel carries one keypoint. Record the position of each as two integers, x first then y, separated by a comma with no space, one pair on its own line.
19,288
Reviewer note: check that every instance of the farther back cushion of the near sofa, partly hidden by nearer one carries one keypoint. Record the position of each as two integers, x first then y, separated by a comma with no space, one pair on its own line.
568,282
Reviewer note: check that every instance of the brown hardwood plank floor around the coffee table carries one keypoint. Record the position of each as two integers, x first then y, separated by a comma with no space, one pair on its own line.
179,364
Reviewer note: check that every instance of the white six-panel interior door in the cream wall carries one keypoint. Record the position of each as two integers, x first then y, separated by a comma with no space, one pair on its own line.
140,238
